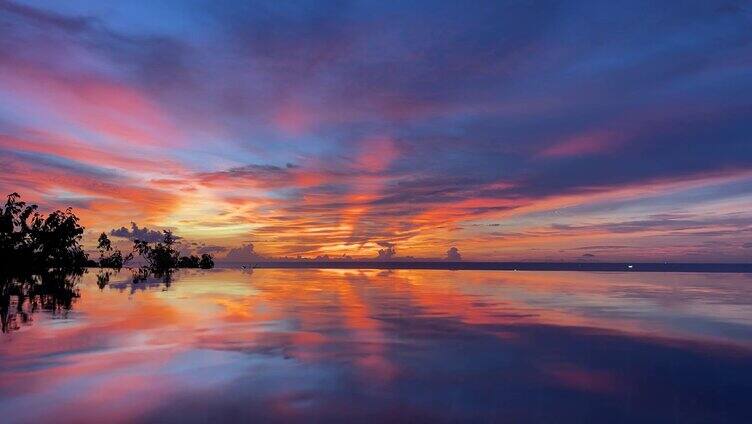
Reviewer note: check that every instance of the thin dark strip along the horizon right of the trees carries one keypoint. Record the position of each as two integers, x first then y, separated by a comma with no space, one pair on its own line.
507,266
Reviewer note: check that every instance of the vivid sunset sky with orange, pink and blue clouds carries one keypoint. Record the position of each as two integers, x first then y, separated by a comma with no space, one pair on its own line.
510,130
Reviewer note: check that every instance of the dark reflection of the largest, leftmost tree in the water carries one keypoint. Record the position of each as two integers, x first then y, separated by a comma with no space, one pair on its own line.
21,295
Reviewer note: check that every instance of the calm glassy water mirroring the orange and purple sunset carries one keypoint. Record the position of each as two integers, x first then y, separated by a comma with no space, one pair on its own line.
346,345
